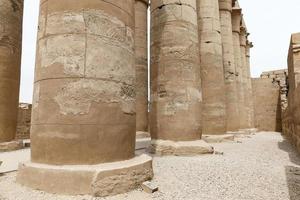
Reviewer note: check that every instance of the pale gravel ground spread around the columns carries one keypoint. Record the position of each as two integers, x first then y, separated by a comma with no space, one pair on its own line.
264,167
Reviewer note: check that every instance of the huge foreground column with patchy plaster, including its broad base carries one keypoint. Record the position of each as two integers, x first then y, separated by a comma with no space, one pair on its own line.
83,113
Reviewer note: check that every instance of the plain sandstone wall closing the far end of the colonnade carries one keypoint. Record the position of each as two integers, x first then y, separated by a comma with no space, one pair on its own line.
267,112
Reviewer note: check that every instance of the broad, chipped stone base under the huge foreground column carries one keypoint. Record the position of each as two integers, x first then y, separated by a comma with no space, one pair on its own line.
97,180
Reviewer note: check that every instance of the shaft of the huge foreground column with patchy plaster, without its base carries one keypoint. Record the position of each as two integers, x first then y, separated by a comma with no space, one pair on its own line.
84,99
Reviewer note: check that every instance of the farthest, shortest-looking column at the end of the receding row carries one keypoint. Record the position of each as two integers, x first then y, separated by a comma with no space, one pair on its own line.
249,45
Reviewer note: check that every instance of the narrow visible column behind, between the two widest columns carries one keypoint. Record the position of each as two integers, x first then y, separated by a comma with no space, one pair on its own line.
141,62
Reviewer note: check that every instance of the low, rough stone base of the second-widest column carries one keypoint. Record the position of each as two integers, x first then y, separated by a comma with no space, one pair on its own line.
184,148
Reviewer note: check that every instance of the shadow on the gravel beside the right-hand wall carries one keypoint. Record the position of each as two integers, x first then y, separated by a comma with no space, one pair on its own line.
292,172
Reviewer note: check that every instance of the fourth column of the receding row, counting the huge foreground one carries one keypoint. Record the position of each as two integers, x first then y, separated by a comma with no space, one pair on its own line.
232,109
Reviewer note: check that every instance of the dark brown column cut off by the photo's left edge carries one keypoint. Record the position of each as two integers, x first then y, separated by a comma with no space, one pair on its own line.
11,15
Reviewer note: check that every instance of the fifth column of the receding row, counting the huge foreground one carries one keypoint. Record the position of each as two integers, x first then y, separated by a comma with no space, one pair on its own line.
236,25
